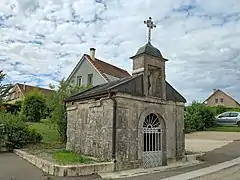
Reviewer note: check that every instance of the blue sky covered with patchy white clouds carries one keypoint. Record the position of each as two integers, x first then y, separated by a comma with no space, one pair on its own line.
42,40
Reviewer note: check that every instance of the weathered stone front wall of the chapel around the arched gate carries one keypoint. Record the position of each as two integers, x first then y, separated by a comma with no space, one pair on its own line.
128,114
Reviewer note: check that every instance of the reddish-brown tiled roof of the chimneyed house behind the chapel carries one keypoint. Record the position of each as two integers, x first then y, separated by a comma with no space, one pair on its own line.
106,68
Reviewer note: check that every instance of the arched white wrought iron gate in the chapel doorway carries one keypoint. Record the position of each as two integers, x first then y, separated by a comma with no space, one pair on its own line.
152,139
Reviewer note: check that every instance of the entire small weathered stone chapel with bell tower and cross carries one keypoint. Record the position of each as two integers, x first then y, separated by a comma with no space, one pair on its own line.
137,121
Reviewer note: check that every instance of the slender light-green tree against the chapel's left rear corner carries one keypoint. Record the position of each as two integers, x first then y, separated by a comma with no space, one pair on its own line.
57,107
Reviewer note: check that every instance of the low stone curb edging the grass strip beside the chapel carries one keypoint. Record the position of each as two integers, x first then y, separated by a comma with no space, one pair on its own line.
66,170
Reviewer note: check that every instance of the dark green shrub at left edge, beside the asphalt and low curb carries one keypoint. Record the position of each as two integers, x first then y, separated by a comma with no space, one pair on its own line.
17,132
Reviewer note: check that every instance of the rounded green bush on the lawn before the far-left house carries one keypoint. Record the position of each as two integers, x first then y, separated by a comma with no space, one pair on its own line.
34,106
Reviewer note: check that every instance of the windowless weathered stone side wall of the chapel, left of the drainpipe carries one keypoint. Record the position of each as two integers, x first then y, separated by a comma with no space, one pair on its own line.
89,129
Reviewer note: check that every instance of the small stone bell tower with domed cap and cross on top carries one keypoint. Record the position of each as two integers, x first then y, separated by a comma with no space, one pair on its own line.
149,62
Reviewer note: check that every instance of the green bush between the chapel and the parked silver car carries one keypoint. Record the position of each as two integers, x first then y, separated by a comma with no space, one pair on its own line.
198,117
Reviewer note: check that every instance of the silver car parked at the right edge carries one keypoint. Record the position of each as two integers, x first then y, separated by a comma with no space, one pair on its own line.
229,118
